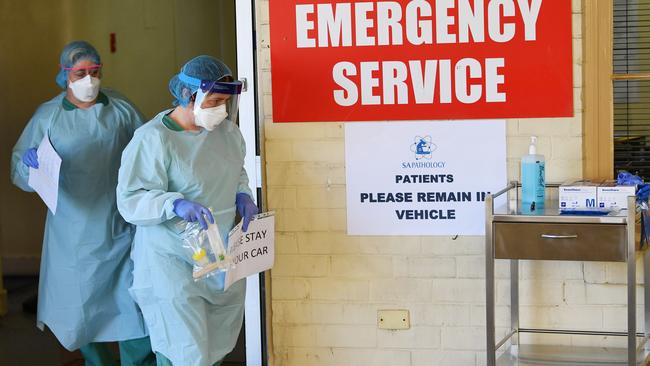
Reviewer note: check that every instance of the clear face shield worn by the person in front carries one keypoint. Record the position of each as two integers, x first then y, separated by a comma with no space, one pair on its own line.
214,94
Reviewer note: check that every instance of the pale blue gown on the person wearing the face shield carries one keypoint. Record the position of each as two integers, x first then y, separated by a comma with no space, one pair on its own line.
190,322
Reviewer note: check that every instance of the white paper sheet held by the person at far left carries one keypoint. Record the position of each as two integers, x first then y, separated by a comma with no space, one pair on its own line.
45,179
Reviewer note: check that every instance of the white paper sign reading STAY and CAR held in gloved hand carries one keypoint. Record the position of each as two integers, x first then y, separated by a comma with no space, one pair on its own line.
252,251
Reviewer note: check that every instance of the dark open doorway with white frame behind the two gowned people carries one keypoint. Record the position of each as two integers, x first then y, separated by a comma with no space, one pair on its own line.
142,44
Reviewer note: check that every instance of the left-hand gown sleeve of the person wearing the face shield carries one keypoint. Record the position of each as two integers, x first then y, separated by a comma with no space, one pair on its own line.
142,196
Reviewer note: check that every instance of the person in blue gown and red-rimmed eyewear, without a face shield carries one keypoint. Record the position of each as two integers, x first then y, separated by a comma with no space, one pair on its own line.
86,271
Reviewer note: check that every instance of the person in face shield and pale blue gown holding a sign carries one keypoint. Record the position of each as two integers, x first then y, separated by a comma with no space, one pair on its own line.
184,161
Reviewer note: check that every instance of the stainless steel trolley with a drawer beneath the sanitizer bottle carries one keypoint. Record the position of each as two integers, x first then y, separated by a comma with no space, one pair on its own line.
547,235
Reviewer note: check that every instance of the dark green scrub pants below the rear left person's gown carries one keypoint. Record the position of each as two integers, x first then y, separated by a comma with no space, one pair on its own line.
134,352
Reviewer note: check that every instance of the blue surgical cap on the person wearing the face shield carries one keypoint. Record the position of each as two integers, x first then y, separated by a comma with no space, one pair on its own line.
202,68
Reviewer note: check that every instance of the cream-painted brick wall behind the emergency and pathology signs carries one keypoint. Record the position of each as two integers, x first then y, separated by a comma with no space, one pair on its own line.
327,286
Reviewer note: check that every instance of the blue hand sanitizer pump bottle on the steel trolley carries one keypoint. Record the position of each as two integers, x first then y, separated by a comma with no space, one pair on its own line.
532,178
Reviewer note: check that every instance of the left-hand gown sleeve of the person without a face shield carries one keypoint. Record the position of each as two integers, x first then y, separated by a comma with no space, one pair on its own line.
31,137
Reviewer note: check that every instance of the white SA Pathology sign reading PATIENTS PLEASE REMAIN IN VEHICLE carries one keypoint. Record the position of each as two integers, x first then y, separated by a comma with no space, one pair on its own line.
422,178
